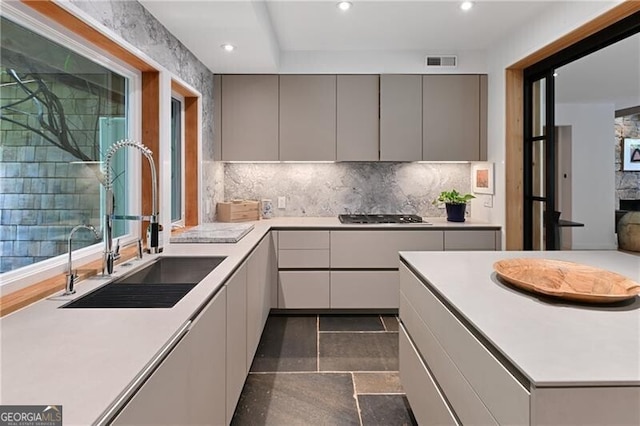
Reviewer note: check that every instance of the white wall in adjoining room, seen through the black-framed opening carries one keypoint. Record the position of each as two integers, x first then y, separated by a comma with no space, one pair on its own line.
593,181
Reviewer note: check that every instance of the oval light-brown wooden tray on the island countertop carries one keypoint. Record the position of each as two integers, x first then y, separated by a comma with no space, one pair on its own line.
567,280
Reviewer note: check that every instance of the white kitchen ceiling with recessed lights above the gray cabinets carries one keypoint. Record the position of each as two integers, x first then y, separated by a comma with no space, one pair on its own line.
264,31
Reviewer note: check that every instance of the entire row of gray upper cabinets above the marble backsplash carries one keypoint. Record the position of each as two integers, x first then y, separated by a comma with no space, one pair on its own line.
388,117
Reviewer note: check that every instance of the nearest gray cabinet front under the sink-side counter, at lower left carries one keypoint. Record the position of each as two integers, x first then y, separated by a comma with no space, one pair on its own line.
188,387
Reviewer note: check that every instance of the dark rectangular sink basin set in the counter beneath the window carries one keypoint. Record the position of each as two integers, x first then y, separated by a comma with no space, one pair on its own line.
159,285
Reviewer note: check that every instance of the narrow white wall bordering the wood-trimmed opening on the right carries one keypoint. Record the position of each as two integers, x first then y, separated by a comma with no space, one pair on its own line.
560,19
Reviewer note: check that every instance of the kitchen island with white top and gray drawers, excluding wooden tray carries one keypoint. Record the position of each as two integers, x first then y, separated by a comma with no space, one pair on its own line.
474,350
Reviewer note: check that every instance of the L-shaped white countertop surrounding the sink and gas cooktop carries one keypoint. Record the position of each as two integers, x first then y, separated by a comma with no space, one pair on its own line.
84,359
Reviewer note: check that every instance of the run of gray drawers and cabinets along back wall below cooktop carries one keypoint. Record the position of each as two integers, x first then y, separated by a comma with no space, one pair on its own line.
358,269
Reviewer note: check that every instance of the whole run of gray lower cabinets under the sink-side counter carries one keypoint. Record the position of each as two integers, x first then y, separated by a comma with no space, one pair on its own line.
200,380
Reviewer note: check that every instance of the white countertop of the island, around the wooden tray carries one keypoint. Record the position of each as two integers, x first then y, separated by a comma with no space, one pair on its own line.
552,342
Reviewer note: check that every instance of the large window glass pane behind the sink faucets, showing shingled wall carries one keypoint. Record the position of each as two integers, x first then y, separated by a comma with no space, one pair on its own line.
60,111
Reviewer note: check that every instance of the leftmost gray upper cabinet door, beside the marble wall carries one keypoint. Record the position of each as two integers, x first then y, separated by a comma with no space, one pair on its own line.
250,117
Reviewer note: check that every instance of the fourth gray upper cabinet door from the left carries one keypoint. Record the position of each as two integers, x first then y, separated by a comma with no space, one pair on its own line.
400,117
